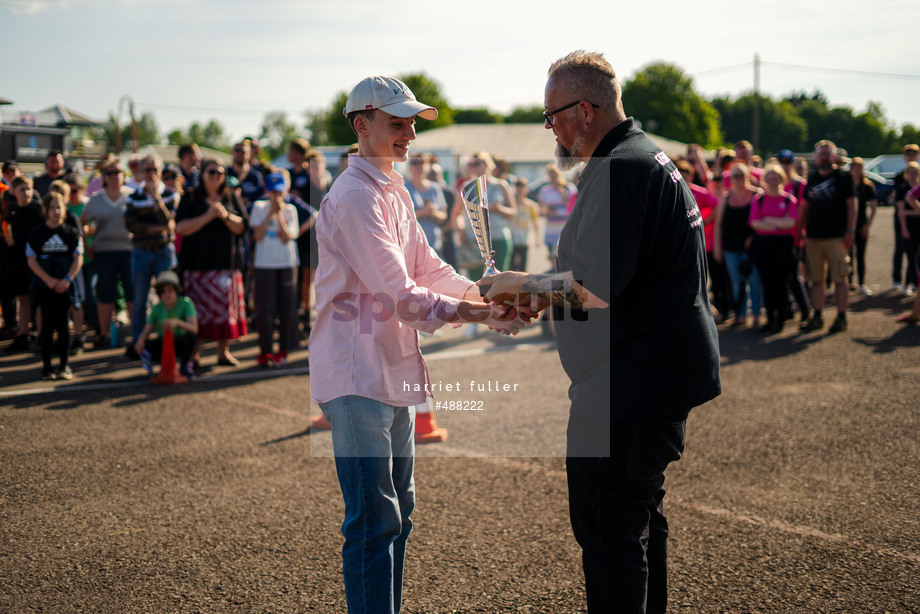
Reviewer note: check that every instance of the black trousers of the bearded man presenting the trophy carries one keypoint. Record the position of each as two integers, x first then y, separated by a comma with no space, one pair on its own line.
615,504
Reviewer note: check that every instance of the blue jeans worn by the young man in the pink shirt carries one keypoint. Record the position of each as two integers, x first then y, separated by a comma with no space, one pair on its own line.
374,449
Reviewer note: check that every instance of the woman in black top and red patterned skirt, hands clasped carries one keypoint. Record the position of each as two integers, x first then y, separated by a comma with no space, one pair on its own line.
211,223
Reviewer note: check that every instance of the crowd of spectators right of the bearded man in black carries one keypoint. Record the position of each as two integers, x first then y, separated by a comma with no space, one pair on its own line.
781,237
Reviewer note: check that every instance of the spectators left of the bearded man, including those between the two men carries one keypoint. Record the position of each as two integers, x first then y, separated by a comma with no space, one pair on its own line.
237,242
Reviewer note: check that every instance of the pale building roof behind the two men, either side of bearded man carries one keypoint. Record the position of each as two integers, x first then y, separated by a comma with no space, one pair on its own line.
513,142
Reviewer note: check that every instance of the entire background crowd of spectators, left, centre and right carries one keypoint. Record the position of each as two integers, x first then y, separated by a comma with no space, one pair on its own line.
240,240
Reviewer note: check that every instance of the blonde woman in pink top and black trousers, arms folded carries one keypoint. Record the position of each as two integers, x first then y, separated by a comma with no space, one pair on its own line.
774,217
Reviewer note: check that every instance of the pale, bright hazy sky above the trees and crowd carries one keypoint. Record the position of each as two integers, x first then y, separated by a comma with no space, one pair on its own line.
236,60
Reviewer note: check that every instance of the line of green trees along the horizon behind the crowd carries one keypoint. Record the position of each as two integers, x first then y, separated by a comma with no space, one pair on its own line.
660,95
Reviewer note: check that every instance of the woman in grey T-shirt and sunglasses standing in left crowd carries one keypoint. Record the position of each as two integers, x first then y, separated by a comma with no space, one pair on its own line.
104,217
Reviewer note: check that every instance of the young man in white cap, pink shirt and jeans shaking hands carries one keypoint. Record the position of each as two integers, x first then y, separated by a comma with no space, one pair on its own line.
378,283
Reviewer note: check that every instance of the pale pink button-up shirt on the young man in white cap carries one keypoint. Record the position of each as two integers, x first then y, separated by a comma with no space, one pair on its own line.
377,283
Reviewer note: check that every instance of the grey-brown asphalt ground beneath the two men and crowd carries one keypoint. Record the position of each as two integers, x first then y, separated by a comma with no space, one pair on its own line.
798,490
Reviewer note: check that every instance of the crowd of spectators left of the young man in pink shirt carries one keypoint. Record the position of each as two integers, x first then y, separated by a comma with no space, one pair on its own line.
191,221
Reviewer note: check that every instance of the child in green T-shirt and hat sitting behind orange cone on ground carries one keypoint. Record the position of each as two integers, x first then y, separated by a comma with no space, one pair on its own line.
173,312
